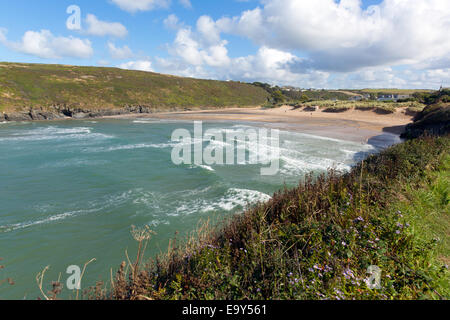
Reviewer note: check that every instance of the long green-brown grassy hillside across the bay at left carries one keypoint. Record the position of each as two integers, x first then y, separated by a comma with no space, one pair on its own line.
35,86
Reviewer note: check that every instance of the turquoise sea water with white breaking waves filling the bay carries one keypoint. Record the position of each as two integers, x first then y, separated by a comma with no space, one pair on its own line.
71,190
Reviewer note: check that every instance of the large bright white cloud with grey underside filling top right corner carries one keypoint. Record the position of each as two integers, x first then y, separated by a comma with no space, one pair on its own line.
341,36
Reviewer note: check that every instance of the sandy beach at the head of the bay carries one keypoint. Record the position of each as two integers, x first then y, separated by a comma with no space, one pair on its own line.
352,125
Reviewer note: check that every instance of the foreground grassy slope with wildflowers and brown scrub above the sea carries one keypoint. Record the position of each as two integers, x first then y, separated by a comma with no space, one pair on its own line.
318,240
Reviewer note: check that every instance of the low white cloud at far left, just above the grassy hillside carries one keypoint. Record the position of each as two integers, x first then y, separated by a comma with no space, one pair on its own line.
44,44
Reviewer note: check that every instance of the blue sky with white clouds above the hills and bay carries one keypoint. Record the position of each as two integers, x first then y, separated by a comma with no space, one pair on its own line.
328,44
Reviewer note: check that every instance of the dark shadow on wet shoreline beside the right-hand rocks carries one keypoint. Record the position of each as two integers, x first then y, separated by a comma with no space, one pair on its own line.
389,137
